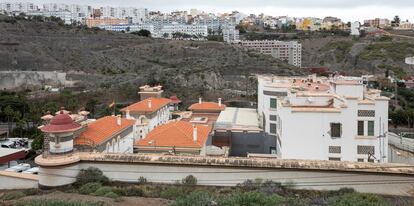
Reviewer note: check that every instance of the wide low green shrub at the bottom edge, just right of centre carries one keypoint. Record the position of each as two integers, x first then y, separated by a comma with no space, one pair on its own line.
251,198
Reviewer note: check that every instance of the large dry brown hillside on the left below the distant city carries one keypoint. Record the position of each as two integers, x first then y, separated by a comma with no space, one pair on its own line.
101,59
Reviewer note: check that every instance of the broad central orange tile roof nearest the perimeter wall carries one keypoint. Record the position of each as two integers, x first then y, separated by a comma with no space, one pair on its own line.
176,133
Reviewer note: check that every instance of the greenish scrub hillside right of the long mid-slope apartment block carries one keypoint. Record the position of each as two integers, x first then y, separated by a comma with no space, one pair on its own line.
359,56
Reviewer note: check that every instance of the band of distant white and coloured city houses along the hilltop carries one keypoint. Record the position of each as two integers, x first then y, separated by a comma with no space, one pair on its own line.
193,24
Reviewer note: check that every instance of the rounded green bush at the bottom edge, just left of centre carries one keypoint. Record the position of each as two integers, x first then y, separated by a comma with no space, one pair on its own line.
199,198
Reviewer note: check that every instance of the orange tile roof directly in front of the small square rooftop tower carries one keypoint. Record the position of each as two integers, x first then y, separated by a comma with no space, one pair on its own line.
143,106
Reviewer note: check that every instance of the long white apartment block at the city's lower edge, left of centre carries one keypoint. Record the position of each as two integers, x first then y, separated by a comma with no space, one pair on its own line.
190,29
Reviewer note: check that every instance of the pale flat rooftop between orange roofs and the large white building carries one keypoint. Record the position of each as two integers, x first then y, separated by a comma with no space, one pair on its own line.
233,118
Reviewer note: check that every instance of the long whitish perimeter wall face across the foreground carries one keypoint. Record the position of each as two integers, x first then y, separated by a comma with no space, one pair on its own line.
230,176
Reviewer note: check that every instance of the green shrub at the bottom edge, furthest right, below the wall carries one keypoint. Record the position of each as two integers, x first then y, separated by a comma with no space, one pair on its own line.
357,199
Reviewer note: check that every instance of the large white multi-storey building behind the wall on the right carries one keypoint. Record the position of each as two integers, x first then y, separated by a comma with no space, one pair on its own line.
336,119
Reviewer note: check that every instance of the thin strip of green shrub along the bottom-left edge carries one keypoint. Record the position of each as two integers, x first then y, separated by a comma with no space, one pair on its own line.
44,202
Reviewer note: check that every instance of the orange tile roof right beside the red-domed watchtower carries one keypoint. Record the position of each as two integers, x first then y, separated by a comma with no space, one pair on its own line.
100,130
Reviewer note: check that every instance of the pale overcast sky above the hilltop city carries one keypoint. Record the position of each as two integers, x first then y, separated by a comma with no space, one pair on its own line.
347,10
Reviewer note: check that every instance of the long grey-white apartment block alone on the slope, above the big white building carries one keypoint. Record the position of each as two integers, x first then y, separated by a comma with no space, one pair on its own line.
290,51
